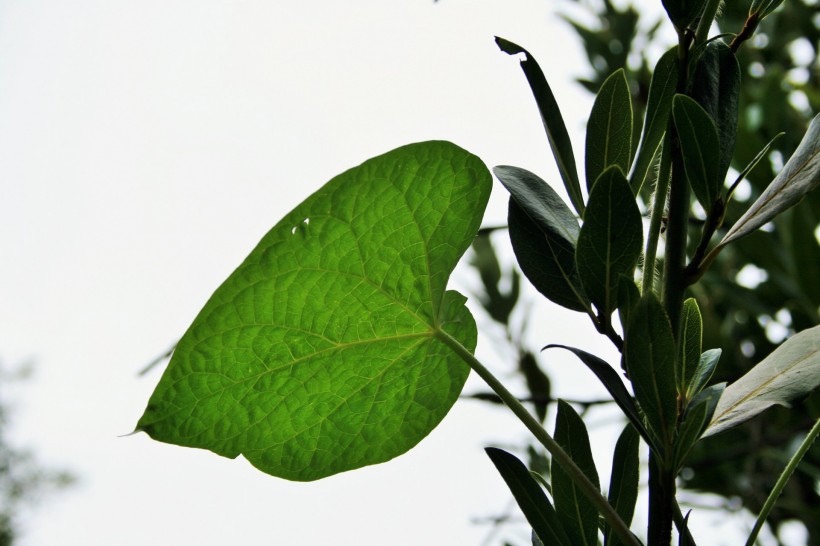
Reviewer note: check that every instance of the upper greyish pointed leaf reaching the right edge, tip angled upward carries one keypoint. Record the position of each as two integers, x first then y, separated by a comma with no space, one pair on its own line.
799,176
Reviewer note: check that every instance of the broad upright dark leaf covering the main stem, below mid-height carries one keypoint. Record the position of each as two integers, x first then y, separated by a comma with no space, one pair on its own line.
650,350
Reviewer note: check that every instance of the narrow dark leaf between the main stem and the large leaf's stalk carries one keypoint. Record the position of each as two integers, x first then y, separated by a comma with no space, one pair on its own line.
624,479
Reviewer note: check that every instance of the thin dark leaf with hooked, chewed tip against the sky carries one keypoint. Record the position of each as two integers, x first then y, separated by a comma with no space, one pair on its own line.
557,134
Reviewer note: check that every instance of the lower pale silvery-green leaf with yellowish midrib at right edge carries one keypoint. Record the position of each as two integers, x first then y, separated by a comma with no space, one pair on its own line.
790,371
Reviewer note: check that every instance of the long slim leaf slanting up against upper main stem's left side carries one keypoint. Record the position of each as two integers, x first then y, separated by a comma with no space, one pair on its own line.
662,89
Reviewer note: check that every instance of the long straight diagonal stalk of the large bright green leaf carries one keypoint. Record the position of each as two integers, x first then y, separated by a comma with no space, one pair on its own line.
576,474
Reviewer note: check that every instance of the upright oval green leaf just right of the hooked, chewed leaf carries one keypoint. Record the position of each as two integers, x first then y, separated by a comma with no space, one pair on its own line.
609,130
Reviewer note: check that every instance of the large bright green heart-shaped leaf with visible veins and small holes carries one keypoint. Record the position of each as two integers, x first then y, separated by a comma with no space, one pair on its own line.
321,353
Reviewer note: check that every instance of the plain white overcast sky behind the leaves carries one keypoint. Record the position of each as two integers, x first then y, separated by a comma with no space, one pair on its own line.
145,147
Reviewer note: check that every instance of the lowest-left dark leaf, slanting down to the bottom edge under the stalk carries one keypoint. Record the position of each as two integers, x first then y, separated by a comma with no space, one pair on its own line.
530,498
